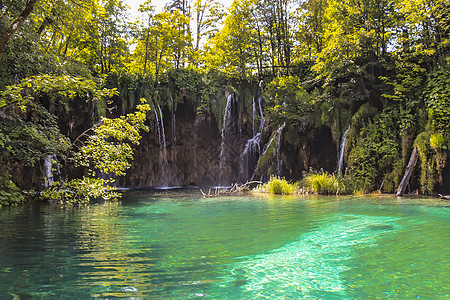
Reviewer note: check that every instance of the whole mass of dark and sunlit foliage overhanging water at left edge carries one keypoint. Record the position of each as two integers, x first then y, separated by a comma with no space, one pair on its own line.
29,133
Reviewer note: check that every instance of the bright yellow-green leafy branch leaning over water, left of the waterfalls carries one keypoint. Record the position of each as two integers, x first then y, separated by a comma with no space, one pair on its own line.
108,150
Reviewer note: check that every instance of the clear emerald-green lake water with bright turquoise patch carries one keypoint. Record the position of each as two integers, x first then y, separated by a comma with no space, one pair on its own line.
182,246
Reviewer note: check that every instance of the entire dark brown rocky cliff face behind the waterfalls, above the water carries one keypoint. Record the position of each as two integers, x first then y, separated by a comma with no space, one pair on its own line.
200,150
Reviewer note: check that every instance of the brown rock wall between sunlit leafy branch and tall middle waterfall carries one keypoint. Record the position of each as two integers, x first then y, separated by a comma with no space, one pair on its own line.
190,157
